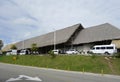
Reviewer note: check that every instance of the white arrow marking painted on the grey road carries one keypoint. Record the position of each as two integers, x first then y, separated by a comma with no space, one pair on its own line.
26,78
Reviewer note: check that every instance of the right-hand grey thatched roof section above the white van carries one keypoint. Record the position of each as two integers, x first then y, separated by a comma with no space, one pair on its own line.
97,33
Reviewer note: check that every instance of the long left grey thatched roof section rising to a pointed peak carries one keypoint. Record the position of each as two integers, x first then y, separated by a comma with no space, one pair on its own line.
62,36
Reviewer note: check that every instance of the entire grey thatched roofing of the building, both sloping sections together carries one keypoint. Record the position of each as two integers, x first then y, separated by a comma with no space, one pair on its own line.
92,34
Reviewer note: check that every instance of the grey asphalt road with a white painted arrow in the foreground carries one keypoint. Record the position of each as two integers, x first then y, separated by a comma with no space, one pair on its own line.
16,73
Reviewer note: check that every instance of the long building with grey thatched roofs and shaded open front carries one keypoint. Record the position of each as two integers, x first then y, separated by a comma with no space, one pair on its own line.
73,37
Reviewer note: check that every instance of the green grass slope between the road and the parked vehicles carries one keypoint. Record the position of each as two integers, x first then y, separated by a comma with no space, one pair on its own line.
73,63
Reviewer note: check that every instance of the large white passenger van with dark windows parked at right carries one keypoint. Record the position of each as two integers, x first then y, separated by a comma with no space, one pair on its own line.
104,49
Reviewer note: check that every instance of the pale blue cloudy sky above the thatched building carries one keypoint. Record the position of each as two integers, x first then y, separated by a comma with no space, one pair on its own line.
23,19
